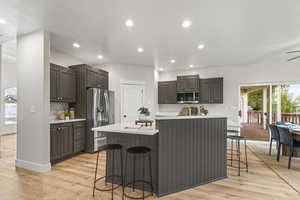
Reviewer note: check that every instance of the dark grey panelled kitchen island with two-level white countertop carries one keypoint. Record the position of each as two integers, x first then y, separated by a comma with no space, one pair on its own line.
186,151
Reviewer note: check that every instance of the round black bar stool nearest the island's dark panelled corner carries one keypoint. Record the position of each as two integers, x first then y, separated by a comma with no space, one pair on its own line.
144,152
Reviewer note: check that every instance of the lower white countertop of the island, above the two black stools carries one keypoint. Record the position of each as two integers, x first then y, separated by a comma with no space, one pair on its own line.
128,128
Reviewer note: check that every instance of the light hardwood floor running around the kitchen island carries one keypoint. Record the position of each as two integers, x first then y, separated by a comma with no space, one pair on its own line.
73,179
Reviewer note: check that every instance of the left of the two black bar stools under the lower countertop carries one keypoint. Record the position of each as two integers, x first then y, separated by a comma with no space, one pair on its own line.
109,148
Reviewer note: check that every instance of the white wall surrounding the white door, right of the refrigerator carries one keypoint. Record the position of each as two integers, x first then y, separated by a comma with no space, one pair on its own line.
118,72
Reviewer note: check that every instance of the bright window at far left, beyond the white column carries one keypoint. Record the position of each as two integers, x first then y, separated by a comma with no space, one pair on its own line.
10,106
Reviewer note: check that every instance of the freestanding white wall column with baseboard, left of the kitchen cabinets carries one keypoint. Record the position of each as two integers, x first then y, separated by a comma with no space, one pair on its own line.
33,129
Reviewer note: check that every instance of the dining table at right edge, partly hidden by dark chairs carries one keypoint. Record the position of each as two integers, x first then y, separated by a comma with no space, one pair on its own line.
295,130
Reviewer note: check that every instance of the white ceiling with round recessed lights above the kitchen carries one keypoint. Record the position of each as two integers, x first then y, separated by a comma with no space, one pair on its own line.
235,32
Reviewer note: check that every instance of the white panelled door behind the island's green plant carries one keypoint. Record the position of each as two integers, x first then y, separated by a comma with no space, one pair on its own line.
132,98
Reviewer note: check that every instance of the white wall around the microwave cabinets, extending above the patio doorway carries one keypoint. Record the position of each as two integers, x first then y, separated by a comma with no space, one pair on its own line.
276,71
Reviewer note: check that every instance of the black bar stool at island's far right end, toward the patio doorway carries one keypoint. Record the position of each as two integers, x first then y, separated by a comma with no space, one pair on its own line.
237,140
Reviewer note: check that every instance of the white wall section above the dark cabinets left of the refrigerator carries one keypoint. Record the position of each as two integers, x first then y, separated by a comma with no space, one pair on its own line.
63,59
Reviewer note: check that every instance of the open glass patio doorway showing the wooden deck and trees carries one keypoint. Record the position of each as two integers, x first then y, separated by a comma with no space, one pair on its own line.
264,104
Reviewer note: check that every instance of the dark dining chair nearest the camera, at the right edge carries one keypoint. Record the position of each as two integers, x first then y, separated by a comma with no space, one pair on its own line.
286,137
